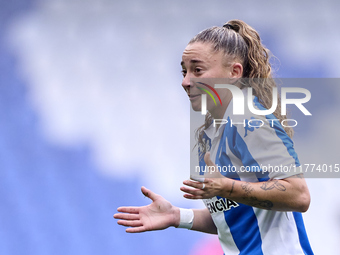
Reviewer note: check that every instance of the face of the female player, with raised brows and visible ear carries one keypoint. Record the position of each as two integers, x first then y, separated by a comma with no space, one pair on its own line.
200,61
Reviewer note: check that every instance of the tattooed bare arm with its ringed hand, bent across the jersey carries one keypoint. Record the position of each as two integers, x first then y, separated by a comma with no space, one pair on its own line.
290,194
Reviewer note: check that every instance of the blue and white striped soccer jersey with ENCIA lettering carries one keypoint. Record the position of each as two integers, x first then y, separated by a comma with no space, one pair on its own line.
243,229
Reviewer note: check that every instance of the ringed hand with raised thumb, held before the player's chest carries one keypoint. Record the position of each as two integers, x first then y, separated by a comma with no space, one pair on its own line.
212,185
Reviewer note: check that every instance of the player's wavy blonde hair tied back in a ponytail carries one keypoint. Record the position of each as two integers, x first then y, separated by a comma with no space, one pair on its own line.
241,42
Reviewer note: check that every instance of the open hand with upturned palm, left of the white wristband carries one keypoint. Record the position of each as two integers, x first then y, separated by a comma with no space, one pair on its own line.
160,214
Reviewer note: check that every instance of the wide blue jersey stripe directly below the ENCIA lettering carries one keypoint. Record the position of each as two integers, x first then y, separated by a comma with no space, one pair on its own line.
244,228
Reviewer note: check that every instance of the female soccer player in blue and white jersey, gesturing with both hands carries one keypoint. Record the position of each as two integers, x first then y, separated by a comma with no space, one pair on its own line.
252,212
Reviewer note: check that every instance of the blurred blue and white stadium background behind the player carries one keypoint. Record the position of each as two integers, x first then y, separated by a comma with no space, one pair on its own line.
87,116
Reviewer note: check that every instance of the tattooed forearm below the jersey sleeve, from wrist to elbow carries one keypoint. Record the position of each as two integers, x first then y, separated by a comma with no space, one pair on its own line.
289,194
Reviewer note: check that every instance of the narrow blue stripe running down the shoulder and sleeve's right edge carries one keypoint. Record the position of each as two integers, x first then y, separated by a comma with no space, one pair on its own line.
280,133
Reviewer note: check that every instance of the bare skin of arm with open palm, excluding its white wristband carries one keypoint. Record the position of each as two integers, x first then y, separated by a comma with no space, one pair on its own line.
160,214
